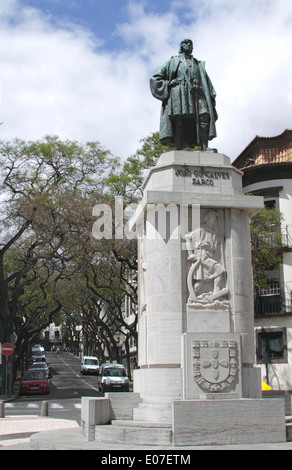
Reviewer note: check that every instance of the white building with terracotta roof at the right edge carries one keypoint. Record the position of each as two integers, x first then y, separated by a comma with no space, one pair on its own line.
266,164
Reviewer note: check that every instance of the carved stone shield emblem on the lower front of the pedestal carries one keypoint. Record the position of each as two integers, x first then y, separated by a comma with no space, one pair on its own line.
215,365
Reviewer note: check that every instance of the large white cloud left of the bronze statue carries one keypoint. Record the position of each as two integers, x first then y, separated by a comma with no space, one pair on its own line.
55,80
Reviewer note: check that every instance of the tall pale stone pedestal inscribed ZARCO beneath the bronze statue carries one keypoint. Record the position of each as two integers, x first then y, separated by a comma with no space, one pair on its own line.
196,325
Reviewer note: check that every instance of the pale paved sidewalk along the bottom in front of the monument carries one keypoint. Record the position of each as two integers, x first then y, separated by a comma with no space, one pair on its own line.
36,433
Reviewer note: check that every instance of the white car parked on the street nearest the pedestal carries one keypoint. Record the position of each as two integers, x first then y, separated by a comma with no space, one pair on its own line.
113,377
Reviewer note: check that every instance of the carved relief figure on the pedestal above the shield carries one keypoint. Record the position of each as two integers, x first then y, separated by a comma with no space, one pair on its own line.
202,245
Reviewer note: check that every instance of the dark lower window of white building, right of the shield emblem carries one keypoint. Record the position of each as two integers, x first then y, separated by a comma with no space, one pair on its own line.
271,345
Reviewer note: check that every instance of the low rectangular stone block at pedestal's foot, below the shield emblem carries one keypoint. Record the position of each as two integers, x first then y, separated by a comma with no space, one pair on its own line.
227,422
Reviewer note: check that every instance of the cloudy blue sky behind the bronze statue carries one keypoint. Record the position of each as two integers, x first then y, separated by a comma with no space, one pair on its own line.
80,69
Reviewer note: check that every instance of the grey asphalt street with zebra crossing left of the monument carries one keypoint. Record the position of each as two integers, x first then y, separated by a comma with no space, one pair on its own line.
67,386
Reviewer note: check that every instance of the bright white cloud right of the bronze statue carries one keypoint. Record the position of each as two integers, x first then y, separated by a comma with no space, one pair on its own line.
247,46
